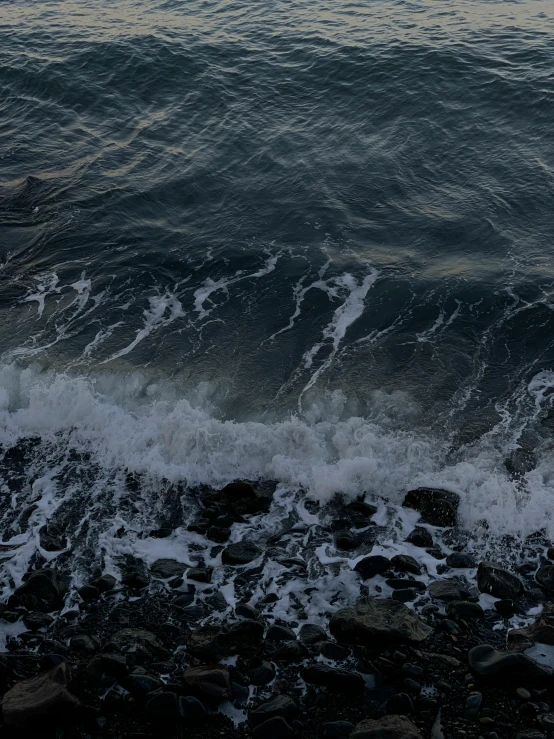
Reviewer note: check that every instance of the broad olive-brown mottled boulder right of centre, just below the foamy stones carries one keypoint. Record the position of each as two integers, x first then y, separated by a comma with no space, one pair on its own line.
374,620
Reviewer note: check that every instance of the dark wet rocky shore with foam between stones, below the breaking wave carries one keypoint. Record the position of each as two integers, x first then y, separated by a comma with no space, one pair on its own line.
157,651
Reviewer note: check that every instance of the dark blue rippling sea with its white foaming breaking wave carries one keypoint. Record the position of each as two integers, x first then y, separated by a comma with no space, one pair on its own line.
328,222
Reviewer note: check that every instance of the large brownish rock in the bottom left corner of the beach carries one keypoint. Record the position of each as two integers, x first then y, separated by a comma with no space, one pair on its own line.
41,700
